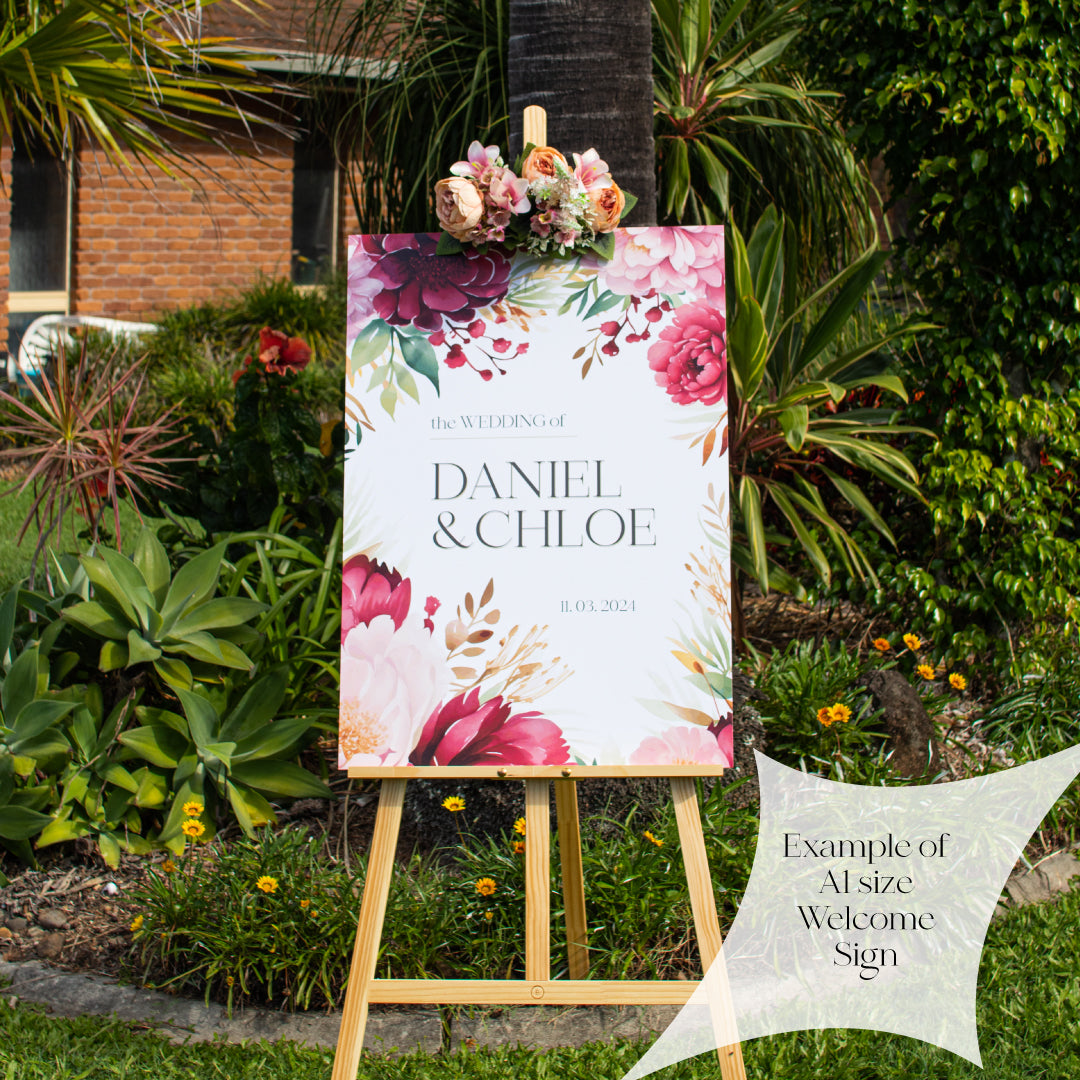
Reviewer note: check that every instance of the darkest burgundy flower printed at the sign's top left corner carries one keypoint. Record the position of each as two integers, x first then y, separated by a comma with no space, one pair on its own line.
424,289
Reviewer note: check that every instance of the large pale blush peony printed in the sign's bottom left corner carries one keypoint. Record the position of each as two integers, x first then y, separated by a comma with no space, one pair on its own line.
391,680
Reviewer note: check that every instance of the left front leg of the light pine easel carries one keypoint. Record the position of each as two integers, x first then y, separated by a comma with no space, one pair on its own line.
373,911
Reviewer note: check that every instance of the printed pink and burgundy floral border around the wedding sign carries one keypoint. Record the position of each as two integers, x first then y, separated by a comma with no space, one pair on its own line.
411,696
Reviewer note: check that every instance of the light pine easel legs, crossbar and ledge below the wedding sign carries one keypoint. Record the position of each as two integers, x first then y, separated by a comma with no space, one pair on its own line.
538,988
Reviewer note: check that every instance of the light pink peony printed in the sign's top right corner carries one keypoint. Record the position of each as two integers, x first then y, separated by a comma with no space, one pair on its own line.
688,260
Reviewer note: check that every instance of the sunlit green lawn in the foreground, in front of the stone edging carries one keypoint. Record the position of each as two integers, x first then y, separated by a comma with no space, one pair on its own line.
1029,1021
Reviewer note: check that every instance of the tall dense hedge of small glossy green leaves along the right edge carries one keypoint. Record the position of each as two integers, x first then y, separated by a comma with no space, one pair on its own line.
973,113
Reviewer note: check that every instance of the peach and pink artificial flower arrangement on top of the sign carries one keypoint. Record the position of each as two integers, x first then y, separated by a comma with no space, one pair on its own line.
542,205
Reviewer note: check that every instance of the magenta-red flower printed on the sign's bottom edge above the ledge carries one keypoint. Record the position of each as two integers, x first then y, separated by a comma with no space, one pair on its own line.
466,733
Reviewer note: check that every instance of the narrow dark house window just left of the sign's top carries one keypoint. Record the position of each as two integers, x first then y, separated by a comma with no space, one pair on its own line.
315,211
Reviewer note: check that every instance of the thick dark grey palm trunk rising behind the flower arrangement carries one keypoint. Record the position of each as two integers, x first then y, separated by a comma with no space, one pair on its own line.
591,67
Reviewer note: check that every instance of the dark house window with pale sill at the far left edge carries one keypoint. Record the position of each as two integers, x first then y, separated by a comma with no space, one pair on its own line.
40,240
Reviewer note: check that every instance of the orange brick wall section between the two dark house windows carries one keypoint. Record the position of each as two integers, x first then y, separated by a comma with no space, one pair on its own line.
144,245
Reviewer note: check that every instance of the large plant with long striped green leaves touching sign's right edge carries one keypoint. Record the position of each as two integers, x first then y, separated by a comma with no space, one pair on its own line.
805,410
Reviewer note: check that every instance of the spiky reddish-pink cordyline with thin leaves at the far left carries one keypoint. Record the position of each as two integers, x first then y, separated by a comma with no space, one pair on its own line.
80,447
